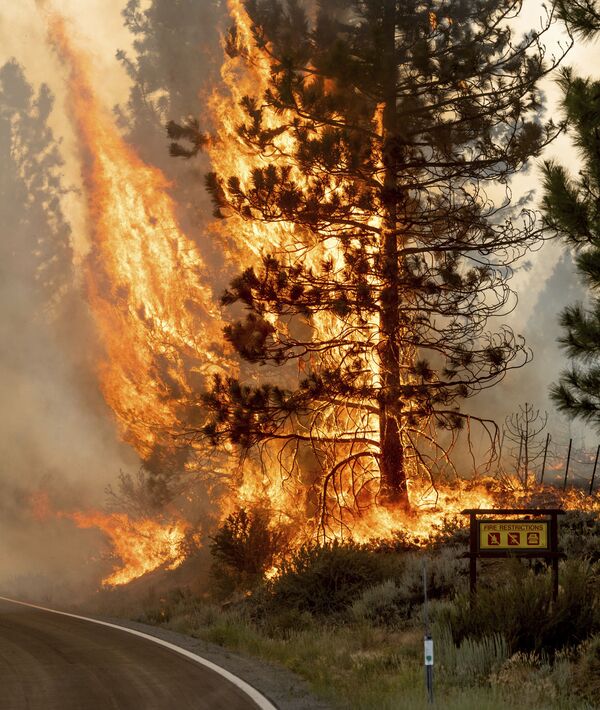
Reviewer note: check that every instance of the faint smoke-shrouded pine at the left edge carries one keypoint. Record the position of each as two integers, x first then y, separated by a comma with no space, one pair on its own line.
35,246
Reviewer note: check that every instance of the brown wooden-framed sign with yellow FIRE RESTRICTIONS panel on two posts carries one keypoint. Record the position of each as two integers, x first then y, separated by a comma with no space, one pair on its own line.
533,534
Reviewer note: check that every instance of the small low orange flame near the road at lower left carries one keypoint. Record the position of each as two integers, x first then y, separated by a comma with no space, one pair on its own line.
139,545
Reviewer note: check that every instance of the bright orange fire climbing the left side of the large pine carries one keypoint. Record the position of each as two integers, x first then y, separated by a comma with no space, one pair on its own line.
347,436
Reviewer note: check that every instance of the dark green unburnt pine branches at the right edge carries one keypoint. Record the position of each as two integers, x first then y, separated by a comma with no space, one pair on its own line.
572,209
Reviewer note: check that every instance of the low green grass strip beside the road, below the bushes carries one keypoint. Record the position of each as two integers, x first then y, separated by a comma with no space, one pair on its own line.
361,666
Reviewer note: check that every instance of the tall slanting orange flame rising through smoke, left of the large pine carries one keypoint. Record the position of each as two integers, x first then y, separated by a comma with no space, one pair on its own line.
157,322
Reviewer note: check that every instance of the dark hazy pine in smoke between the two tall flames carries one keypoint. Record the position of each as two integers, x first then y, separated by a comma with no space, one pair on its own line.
173,68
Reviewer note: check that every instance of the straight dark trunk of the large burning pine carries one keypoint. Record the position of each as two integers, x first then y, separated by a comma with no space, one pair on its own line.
393,464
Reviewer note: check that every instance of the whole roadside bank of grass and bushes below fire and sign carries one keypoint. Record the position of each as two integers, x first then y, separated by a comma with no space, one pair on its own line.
348,619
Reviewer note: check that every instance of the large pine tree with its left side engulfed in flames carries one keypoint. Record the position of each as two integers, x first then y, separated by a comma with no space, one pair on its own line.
364,151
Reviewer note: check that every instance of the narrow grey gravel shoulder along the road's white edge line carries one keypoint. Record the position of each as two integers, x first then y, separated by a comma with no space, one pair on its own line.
282,687
